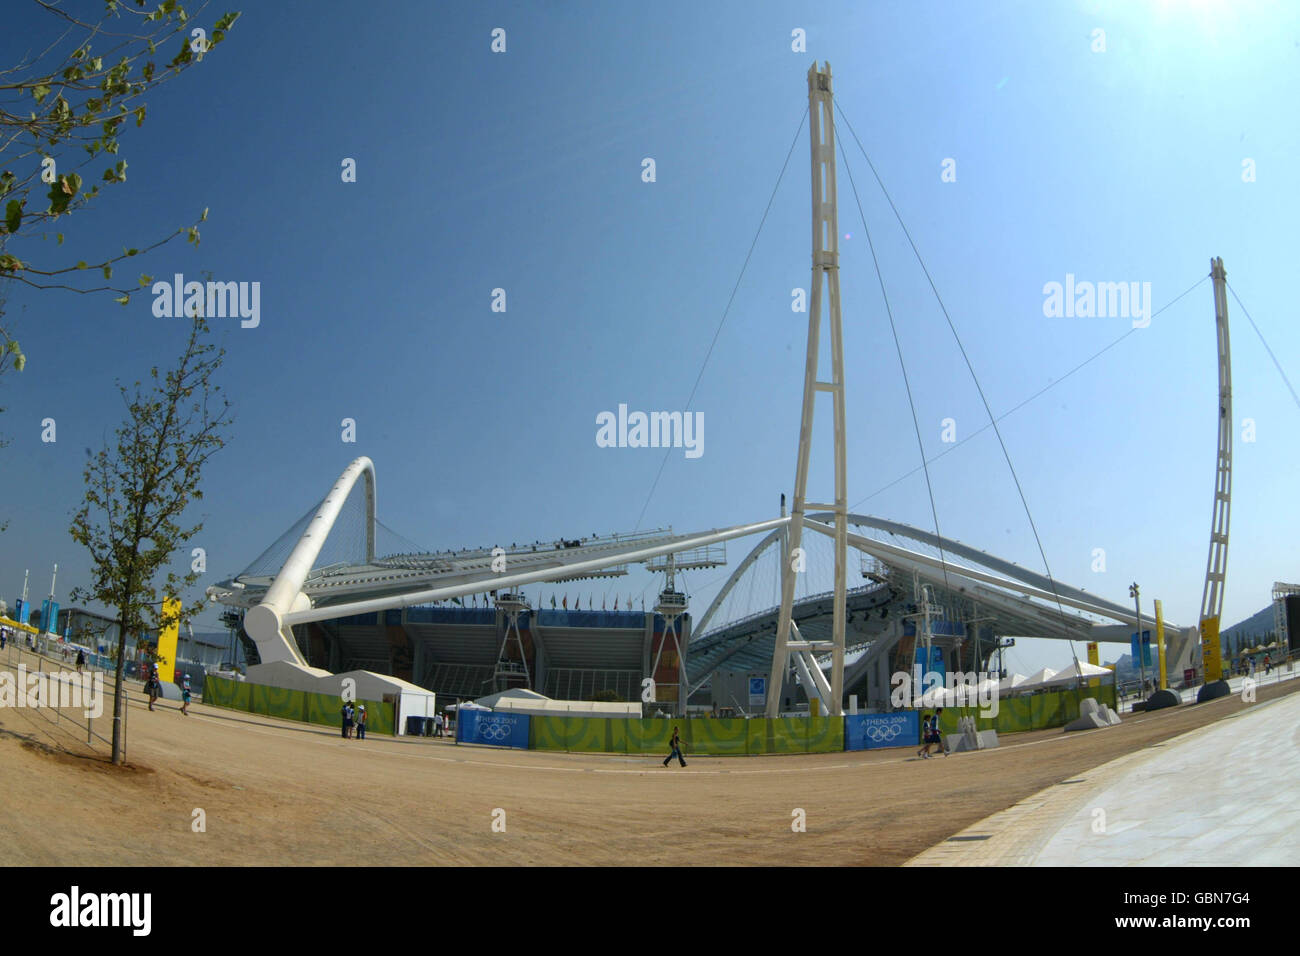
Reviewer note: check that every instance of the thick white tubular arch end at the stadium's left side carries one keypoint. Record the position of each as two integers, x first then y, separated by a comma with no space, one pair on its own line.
265,622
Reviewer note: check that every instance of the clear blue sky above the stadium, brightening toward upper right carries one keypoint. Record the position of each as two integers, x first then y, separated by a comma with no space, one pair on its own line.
522,171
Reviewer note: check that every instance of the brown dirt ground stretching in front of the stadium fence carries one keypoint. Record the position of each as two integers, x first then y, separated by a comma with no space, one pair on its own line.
278,793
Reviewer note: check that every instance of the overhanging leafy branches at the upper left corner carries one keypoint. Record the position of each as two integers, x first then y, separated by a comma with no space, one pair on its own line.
84,86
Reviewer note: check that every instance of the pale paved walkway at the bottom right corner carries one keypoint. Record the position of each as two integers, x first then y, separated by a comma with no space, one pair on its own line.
1219,797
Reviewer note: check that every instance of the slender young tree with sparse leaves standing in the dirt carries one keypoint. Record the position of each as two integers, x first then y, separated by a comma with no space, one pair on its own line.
132,521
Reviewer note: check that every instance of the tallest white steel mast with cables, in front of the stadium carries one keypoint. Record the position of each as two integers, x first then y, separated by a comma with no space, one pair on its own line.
826,271
